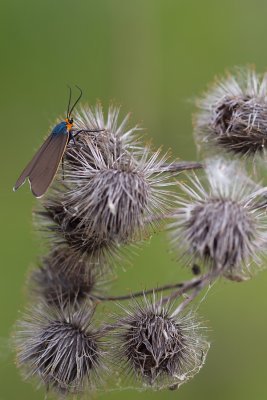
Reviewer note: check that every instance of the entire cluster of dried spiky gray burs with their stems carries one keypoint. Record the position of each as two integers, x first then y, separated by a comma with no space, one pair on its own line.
114,192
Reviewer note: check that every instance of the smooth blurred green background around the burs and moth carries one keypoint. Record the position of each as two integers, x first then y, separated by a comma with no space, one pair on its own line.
153,57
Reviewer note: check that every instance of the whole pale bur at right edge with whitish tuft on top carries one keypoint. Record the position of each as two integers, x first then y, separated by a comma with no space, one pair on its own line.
224,225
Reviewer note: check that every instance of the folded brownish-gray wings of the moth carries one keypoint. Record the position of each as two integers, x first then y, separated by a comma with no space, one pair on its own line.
44,165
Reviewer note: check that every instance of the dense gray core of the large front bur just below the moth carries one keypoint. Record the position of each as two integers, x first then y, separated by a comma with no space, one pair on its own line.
111,204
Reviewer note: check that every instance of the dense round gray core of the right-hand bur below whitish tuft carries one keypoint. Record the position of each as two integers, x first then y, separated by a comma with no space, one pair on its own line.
220,230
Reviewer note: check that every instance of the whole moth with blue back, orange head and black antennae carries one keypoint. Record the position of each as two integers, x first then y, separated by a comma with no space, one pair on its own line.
43,167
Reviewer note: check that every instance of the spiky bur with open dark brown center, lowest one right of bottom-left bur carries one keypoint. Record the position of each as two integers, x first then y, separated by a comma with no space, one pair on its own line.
157,349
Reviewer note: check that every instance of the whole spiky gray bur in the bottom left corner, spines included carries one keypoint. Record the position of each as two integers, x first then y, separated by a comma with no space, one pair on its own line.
60,348
